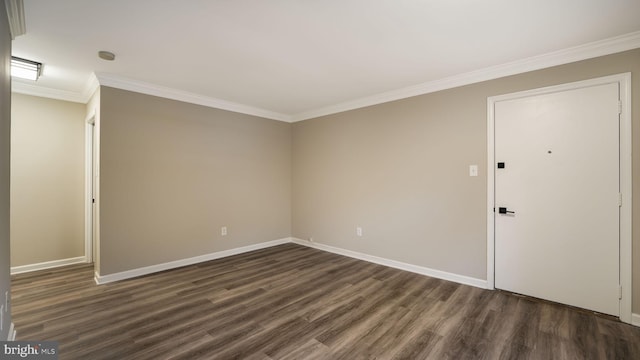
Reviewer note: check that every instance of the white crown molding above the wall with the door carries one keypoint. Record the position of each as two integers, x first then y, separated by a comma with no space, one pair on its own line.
582,52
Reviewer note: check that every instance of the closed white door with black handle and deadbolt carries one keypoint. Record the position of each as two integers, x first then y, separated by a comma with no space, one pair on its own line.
557,179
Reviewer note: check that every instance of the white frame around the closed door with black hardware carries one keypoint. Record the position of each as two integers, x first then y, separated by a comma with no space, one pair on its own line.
625,178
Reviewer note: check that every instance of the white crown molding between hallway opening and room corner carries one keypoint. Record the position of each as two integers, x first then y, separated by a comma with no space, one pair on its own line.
179,95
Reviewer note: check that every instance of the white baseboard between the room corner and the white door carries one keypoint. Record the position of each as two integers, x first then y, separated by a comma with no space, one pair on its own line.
466,280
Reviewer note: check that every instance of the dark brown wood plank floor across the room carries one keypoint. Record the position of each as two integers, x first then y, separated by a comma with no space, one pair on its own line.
293,302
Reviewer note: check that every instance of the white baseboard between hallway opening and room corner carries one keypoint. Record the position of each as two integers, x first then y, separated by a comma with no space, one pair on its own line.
103,279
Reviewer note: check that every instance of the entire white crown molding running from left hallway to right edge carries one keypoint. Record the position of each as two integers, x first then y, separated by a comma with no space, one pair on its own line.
587,51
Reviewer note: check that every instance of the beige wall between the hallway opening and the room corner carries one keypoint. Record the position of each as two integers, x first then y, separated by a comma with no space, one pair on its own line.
172,174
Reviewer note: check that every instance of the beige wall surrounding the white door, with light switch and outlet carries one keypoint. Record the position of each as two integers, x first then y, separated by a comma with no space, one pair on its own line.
400,170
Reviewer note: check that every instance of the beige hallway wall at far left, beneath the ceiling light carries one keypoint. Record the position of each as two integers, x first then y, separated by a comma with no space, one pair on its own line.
47,180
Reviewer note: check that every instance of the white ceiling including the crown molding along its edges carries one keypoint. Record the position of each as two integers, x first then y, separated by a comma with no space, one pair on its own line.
295,59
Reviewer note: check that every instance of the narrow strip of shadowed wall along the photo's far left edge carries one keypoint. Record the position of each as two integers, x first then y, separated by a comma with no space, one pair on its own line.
5,170
